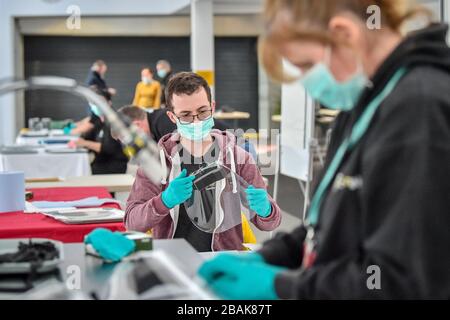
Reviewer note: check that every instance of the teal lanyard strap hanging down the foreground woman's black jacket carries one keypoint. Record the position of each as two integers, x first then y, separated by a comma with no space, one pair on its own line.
358,131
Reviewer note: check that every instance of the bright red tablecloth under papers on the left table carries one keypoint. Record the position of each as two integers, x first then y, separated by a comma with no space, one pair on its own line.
36,225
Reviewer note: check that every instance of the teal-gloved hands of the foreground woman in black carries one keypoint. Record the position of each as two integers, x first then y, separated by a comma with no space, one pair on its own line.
241,278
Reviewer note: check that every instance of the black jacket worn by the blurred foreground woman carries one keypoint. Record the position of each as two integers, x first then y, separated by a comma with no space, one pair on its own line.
398,216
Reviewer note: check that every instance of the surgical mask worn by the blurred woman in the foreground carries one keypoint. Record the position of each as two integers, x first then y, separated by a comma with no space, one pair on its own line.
320,84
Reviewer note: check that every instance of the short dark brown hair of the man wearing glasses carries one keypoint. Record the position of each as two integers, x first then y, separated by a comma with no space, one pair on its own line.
185,83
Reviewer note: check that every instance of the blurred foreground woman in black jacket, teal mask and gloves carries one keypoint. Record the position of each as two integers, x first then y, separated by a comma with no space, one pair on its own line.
378,225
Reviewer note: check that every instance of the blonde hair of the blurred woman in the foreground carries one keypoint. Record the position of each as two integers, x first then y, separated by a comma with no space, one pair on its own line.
308,19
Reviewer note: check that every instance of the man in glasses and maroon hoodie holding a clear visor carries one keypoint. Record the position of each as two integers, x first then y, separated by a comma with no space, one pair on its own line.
161,208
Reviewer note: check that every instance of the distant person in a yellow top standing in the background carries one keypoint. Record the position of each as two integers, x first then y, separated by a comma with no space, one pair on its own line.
148,91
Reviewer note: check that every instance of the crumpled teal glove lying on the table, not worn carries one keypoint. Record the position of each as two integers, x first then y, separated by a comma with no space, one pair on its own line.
110,245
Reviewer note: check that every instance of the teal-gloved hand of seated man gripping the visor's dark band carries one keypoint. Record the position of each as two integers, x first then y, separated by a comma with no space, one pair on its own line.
179,190
